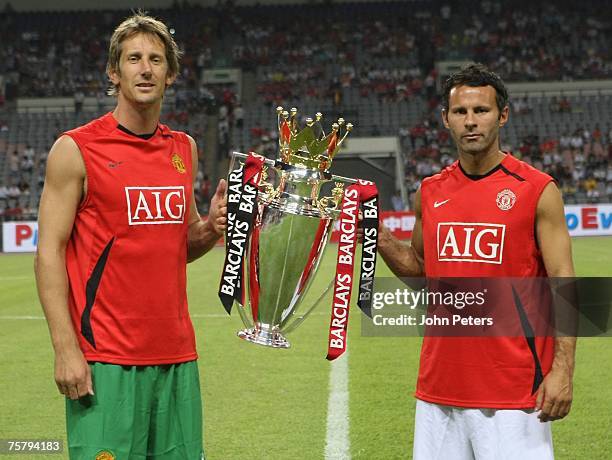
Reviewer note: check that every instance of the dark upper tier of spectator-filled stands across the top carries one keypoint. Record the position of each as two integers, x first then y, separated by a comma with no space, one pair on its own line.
374,46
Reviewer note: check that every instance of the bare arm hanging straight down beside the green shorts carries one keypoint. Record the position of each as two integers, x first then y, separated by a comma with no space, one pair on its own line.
62,193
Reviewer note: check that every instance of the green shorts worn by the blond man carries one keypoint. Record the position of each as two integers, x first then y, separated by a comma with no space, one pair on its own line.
138,413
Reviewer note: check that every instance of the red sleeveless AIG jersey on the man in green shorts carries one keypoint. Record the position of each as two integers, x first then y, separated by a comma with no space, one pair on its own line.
126,258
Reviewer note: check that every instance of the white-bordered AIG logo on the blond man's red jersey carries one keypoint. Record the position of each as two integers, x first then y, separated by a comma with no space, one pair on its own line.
155,205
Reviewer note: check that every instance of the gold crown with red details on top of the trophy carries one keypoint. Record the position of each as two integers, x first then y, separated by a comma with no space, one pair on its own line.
310,147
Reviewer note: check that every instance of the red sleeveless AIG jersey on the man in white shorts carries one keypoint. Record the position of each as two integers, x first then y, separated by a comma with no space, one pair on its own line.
483,226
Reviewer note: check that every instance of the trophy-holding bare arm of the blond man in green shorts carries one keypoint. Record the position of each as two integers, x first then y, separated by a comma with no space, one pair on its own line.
203,235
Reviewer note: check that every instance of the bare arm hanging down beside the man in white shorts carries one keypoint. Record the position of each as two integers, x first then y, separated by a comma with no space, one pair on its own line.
555,392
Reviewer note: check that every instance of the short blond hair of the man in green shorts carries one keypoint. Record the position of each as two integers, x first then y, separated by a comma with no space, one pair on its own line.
141,23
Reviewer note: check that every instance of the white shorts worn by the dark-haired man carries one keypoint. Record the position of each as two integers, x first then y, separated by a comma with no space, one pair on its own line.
456,433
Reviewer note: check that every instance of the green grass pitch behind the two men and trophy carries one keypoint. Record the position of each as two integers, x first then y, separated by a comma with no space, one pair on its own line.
261,403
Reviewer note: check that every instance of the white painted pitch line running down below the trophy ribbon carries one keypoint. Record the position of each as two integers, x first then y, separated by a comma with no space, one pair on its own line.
337,442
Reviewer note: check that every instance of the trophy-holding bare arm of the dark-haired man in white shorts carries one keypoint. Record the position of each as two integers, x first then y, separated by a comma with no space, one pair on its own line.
404,260
